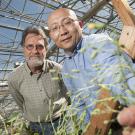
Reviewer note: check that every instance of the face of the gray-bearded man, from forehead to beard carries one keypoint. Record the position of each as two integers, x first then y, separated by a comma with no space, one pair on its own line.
34,50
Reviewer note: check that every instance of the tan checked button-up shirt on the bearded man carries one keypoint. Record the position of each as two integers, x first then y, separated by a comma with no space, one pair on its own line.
37,94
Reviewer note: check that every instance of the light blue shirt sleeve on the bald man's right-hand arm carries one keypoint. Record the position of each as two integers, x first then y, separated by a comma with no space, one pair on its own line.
114,72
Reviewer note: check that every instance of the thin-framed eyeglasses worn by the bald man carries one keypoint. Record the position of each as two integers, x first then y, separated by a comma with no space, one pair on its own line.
67,22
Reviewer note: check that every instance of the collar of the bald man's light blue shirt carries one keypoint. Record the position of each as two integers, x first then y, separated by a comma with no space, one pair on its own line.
77,48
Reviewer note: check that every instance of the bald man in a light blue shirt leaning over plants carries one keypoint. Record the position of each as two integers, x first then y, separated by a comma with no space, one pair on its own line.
91,62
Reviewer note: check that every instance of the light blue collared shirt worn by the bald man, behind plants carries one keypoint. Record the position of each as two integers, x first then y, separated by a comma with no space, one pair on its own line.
96,62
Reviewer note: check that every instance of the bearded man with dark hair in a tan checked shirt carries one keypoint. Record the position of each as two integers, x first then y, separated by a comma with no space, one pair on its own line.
34,85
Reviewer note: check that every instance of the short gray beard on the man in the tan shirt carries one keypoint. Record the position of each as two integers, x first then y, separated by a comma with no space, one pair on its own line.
36,62
